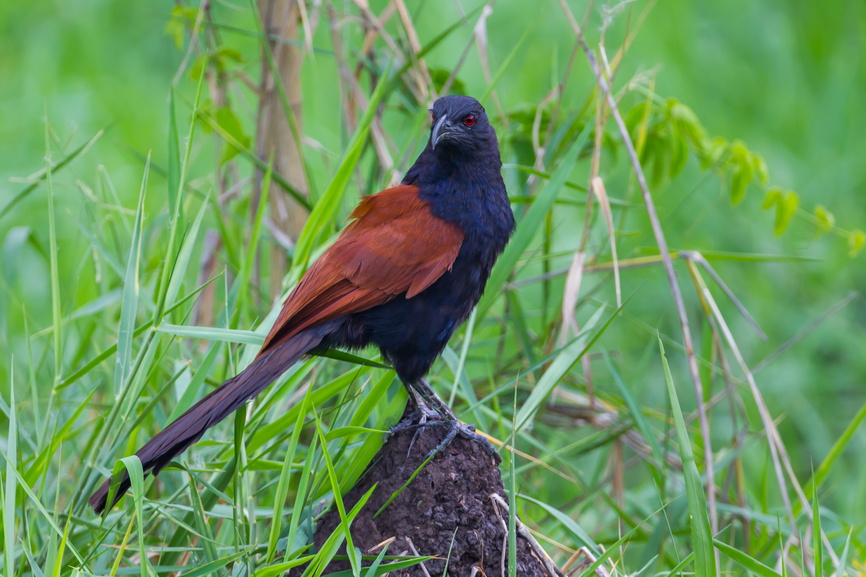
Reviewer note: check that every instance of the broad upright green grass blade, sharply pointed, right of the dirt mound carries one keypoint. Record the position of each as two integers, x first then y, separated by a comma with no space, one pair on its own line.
699,521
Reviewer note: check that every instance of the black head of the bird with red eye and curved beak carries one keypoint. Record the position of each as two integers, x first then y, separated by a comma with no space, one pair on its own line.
459,125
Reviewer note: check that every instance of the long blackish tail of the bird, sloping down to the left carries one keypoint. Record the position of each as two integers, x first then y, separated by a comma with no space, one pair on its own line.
228,397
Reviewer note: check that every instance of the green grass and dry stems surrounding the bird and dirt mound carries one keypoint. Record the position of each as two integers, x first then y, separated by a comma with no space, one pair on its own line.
144,256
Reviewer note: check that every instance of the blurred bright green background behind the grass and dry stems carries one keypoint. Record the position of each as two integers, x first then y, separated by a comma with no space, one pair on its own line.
788,77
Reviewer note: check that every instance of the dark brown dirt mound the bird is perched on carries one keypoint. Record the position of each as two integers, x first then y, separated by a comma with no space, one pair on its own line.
453,491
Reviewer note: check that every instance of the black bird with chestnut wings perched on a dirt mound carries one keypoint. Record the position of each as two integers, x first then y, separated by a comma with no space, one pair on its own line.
403,275
